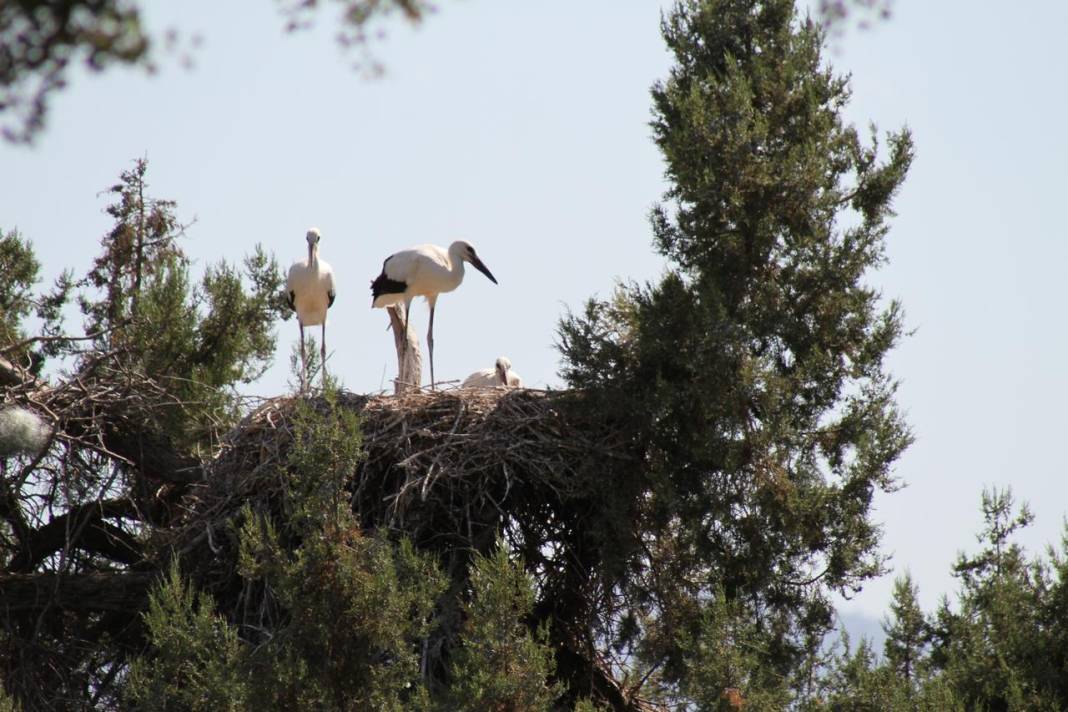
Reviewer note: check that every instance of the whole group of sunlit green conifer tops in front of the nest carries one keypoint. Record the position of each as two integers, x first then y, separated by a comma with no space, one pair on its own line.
347,615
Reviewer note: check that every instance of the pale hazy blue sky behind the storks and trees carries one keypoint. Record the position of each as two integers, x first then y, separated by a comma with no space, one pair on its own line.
523,128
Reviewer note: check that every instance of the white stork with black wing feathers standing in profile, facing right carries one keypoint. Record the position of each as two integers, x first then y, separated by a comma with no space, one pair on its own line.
426,271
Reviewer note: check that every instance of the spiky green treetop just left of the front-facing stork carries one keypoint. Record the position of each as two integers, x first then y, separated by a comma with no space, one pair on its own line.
198,340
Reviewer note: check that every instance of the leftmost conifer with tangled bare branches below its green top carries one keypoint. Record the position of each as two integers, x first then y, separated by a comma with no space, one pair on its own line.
135,402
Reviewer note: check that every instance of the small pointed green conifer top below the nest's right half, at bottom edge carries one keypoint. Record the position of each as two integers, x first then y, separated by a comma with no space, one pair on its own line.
500,664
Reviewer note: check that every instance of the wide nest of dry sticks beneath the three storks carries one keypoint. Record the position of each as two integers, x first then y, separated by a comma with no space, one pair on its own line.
428,455
